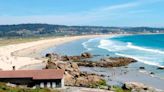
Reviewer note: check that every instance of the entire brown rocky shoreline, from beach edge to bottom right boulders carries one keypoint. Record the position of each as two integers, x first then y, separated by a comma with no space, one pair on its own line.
75,78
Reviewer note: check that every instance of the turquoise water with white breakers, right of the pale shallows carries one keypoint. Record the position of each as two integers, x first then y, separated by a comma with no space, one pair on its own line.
148,49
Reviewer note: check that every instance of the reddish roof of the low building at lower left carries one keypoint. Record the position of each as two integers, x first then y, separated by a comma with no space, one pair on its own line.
34,74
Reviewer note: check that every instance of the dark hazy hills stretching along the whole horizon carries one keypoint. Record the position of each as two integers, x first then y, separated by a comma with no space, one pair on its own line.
36,30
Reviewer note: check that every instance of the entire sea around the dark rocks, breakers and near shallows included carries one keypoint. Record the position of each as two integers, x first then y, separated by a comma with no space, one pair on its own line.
147,49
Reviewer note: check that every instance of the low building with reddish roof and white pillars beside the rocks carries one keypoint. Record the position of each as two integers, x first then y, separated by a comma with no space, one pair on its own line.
50,78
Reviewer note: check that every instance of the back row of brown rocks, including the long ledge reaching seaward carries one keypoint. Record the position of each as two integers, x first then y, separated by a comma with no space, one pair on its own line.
81,60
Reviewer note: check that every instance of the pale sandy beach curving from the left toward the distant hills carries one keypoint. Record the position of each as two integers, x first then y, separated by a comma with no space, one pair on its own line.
15,54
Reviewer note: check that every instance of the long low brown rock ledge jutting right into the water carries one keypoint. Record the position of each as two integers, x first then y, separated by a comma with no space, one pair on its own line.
108,62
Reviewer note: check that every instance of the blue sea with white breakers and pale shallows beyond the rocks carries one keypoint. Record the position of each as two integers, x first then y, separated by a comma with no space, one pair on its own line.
148,49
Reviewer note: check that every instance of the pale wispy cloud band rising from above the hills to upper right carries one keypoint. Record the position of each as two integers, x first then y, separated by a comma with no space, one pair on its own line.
82,18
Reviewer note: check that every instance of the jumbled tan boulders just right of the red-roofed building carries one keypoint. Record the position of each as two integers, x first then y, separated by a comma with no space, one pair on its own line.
73,76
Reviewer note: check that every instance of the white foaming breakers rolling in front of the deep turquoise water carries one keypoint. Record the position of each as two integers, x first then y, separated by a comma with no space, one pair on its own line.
127,49
